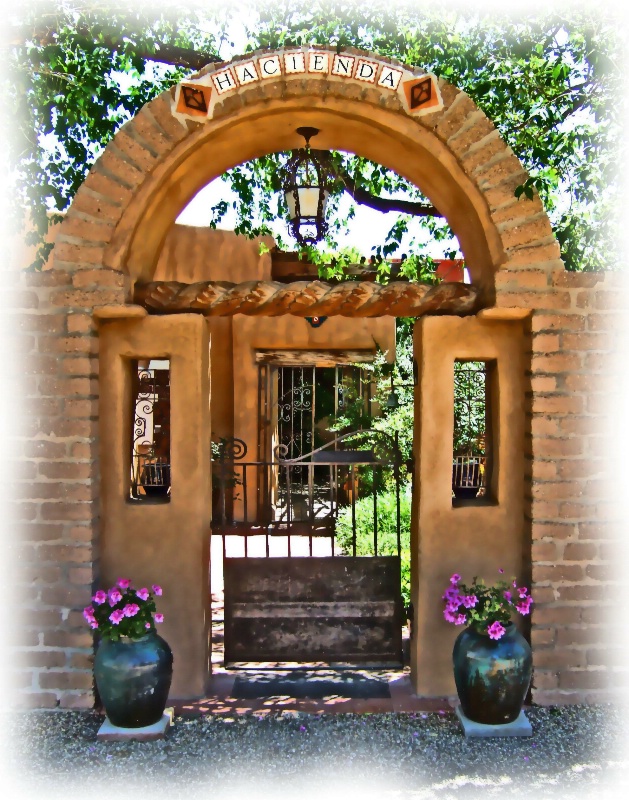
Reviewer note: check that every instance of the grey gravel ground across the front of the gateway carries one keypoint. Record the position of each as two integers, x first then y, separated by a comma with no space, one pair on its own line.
575,752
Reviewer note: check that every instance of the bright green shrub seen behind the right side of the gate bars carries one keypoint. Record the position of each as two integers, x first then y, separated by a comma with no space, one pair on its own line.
387,531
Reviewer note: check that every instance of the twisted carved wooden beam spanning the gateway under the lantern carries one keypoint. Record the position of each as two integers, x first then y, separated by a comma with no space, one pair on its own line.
307,298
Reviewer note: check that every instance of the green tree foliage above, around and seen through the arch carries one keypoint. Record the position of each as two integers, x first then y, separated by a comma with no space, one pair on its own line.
551,82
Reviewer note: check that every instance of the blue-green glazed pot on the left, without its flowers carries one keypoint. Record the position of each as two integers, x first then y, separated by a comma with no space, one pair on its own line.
133,679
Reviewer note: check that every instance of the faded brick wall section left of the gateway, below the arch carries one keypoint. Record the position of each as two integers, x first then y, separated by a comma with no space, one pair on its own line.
56,489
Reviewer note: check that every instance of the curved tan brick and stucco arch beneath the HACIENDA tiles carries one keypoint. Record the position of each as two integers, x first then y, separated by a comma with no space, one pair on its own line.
158,161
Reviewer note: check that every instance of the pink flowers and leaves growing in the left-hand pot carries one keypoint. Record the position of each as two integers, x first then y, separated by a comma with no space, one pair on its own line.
124,611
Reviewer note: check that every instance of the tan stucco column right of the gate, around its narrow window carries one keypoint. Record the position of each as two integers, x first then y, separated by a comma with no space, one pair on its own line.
474,537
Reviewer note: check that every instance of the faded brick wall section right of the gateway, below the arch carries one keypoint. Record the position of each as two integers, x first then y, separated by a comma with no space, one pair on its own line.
578,332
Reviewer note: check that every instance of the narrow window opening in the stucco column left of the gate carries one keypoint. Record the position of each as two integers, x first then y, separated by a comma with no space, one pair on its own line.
150,454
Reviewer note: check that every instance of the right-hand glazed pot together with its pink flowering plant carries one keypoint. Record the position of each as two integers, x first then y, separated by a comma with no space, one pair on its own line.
492,660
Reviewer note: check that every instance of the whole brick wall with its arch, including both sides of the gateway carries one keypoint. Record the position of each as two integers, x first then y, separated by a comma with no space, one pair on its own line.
574,335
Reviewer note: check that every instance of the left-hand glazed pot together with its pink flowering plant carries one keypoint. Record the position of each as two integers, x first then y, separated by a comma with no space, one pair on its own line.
133,665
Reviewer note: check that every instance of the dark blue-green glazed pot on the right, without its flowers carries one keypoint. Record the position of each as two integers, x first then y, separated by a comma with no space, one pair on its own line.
492,676
